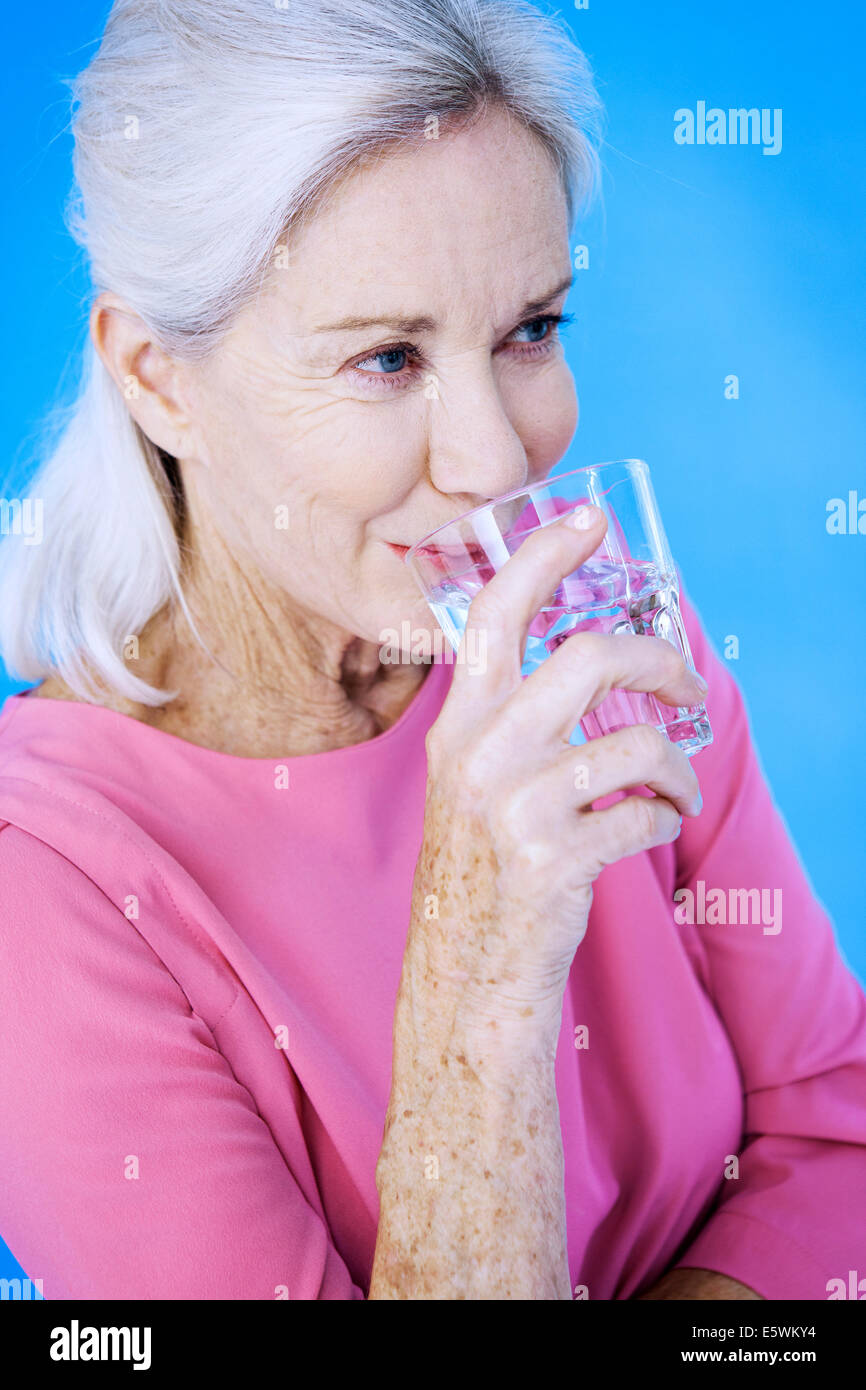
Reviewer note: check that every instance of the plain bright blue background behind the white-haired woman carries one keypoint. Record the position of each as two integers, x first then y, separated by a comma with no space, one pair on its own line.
704,261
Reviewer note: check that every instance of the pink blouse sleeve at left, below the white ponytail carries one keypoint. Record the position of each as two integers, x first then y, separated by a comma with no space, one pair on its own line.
134,1164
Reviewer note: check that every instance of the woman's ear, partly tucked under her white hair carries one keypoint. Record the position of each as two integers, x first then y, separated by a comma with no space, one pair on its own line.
151,382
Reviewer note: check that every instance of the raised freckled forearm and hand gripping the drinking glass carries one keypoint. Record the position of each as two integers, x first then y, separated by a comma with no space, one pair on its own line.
503,890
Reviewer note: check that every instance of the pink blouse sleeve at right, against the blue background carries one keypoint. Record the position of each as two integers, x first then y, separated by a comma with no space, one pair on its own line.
796,1216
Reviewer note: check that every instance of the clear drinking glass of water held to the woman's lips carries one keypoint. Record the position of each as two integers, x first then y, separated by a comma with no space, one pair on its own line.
628,586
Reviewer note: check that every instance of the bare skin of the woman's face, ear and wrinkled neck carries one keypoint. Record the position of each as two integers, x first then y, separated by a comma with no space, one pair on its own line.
464,230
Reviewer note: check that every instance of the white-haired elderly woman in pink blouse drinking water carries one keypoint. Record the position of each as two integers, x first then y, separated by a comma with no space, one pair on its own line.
322,979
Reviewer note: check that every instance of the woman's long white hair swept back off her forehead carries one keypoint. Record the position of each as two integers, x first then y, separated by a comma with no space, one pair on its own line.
206,131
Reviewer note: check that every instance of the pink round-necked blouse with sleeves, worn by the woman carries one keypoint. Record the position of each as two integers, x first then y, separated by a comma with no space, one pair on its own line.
199,961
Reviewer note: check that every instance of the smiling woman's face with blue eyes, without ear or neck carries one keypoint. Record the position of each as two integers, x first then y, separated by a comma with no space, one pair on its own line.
390,376
